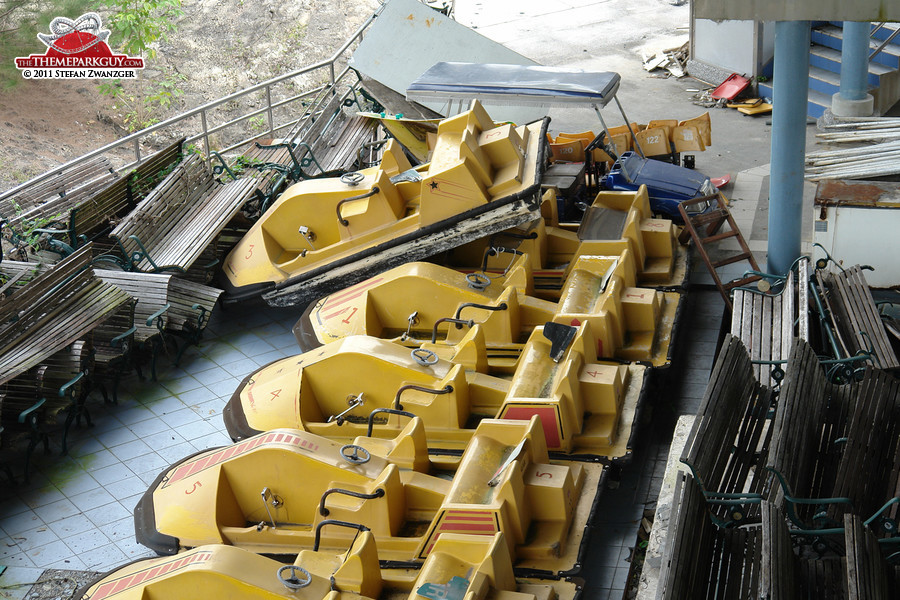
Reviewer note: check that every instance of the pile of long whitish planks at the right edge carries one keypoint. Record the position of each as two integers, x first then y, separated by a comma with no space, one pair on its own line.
876,150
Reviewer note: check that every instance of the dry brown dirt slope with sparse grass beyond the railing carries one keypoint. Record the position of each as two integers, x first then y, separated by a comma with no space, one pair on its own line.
219,47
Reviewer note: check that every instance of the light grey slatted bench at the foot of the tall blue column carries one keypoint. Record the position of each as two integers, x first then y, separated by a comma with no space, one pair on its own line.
768,323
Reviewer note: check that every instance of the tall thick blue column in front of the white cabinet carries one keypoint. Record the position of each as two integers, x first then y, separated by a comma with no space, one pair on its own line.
791,77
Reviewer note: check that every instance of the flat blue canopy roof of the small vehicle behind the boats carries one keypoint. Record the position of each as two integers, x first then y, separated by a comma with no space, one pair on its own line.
513,84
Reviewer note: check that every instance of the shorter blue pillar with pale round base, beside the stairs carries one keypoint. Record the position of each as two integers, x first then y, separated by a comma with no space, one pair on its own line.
854,100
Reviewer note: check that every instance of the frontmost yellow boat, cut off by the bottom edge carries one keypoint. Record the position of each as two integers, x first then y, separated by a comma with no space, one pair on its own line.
459,565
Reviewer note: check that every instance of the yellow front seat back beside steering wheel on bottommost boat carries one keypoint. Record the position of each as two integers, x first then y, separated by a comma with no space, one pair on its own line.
356,571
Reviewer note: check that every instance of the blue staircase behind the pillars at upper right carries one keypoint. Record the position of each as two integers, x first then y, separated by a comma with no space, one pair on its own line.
825,68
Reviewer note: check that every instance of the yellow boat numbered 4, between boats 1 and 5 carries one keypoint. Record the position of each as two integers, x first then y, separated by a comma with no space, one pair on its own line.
587,407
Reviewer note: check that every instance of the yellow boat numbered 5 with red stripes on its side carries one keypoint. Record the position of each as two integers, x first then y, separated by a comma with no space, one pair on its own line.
289,490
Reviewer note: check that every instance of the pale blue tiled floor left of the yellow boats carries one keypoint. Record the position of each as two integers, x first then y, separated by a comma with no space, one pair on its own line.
76,512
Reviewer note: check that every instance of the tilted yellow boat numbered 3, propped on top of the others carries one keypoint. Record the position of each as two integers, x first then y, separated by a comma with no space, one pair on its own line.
322,234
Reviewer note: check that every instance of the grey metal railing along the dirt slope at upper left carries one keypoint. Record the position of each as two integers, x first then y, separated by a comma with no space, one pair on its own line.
336,78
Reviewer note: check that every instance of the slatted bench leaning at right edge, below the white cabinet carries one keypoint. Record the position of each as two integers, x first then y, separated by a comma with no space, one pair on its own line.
854,316
